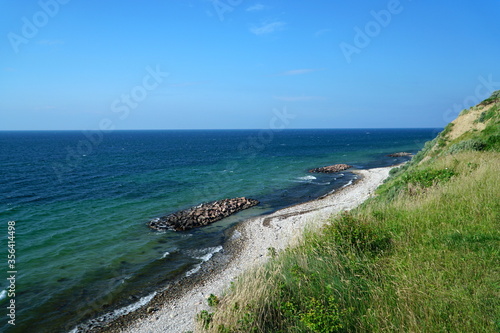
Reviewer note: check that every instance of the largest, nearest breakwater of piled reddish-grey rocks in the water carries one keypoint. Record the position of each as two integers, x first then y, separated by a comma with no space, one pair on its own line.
202,215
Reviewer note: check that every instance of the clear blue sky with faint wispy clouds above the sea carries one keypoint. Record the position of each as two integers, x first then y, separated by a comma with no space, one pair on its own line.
238,64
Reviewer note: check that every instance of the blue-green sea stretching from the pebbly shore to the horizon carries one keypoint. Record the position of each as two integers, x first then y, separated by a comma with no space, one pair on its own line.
81,202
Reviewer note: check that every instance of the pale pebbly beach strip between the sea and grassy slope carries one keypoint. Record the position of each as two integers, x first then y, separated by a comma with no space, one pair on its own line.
252,239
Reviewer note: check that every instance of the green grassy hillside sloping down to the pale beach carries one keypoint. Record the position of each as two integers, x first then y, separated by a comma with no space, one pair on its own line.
421,256
